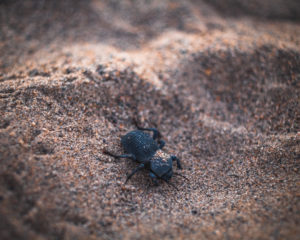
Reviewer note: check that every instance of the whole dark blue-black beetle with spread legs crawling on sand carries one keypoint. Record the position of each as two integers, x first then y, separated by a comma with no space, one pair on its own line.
147,151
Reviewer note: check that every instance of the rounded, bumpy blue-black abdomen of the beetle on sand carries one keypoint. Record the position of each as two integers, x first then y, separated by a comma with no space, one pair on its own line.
139,144
